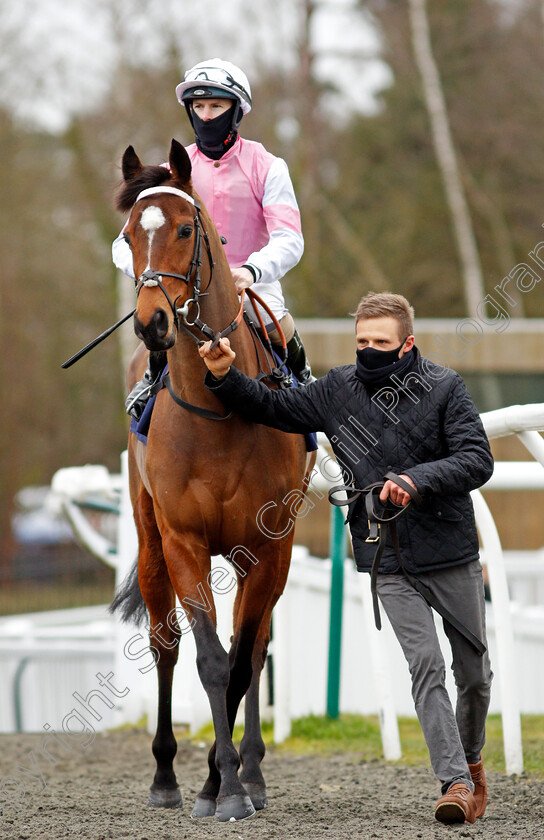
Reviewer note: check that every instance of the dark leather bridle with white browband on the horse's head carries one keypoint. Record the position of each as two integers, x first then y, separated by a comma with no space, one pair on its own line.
152,277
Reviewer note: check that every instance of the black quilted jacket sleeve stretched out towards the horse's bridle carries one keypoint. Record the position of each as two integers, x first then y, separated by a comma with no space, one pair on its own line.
298,410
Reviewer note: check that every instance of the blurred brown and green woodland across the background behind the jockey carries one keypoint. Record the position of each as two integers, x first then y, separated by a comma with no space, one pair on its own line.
372,200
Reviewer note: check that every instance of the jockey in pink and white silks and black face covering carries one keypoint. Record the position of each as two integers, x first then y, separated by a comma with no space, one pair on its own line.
250,197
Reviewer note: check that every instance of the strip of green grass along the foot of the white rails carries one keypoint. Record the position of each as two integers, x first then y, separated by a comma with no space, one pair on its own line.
360,735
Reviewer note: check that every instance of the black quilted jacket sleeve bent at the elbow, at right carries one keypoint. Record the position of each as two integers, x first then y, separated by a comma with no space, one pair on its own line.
467,462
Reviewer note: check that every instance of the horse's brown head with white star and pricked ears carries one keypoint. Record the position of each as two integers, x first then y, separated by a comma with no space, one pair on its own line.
164,234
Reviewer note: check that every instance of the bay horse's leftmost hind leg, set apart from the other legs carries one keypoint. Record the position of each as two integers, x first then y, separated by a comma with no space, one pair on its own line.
164,638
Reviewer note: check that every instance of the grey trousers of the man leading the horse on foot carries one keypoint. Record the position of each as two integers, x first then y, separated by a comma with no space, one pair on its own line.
454,740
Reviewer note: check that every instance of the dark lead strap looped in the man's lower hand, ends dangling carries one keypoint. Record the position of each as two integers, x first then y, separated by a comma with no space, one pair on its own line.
378,528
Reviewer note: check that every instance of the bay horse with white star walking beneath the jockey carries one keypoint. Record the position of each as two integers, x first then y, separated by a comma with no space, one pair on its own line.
199,484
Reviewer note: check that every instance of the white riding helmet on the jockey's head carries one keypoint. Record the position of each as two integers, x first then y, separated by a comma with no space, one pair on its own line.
211,79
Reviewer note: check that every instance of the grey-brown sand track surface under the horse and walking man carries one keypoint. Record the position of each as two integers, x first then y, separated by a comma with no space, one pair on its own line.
99,793
